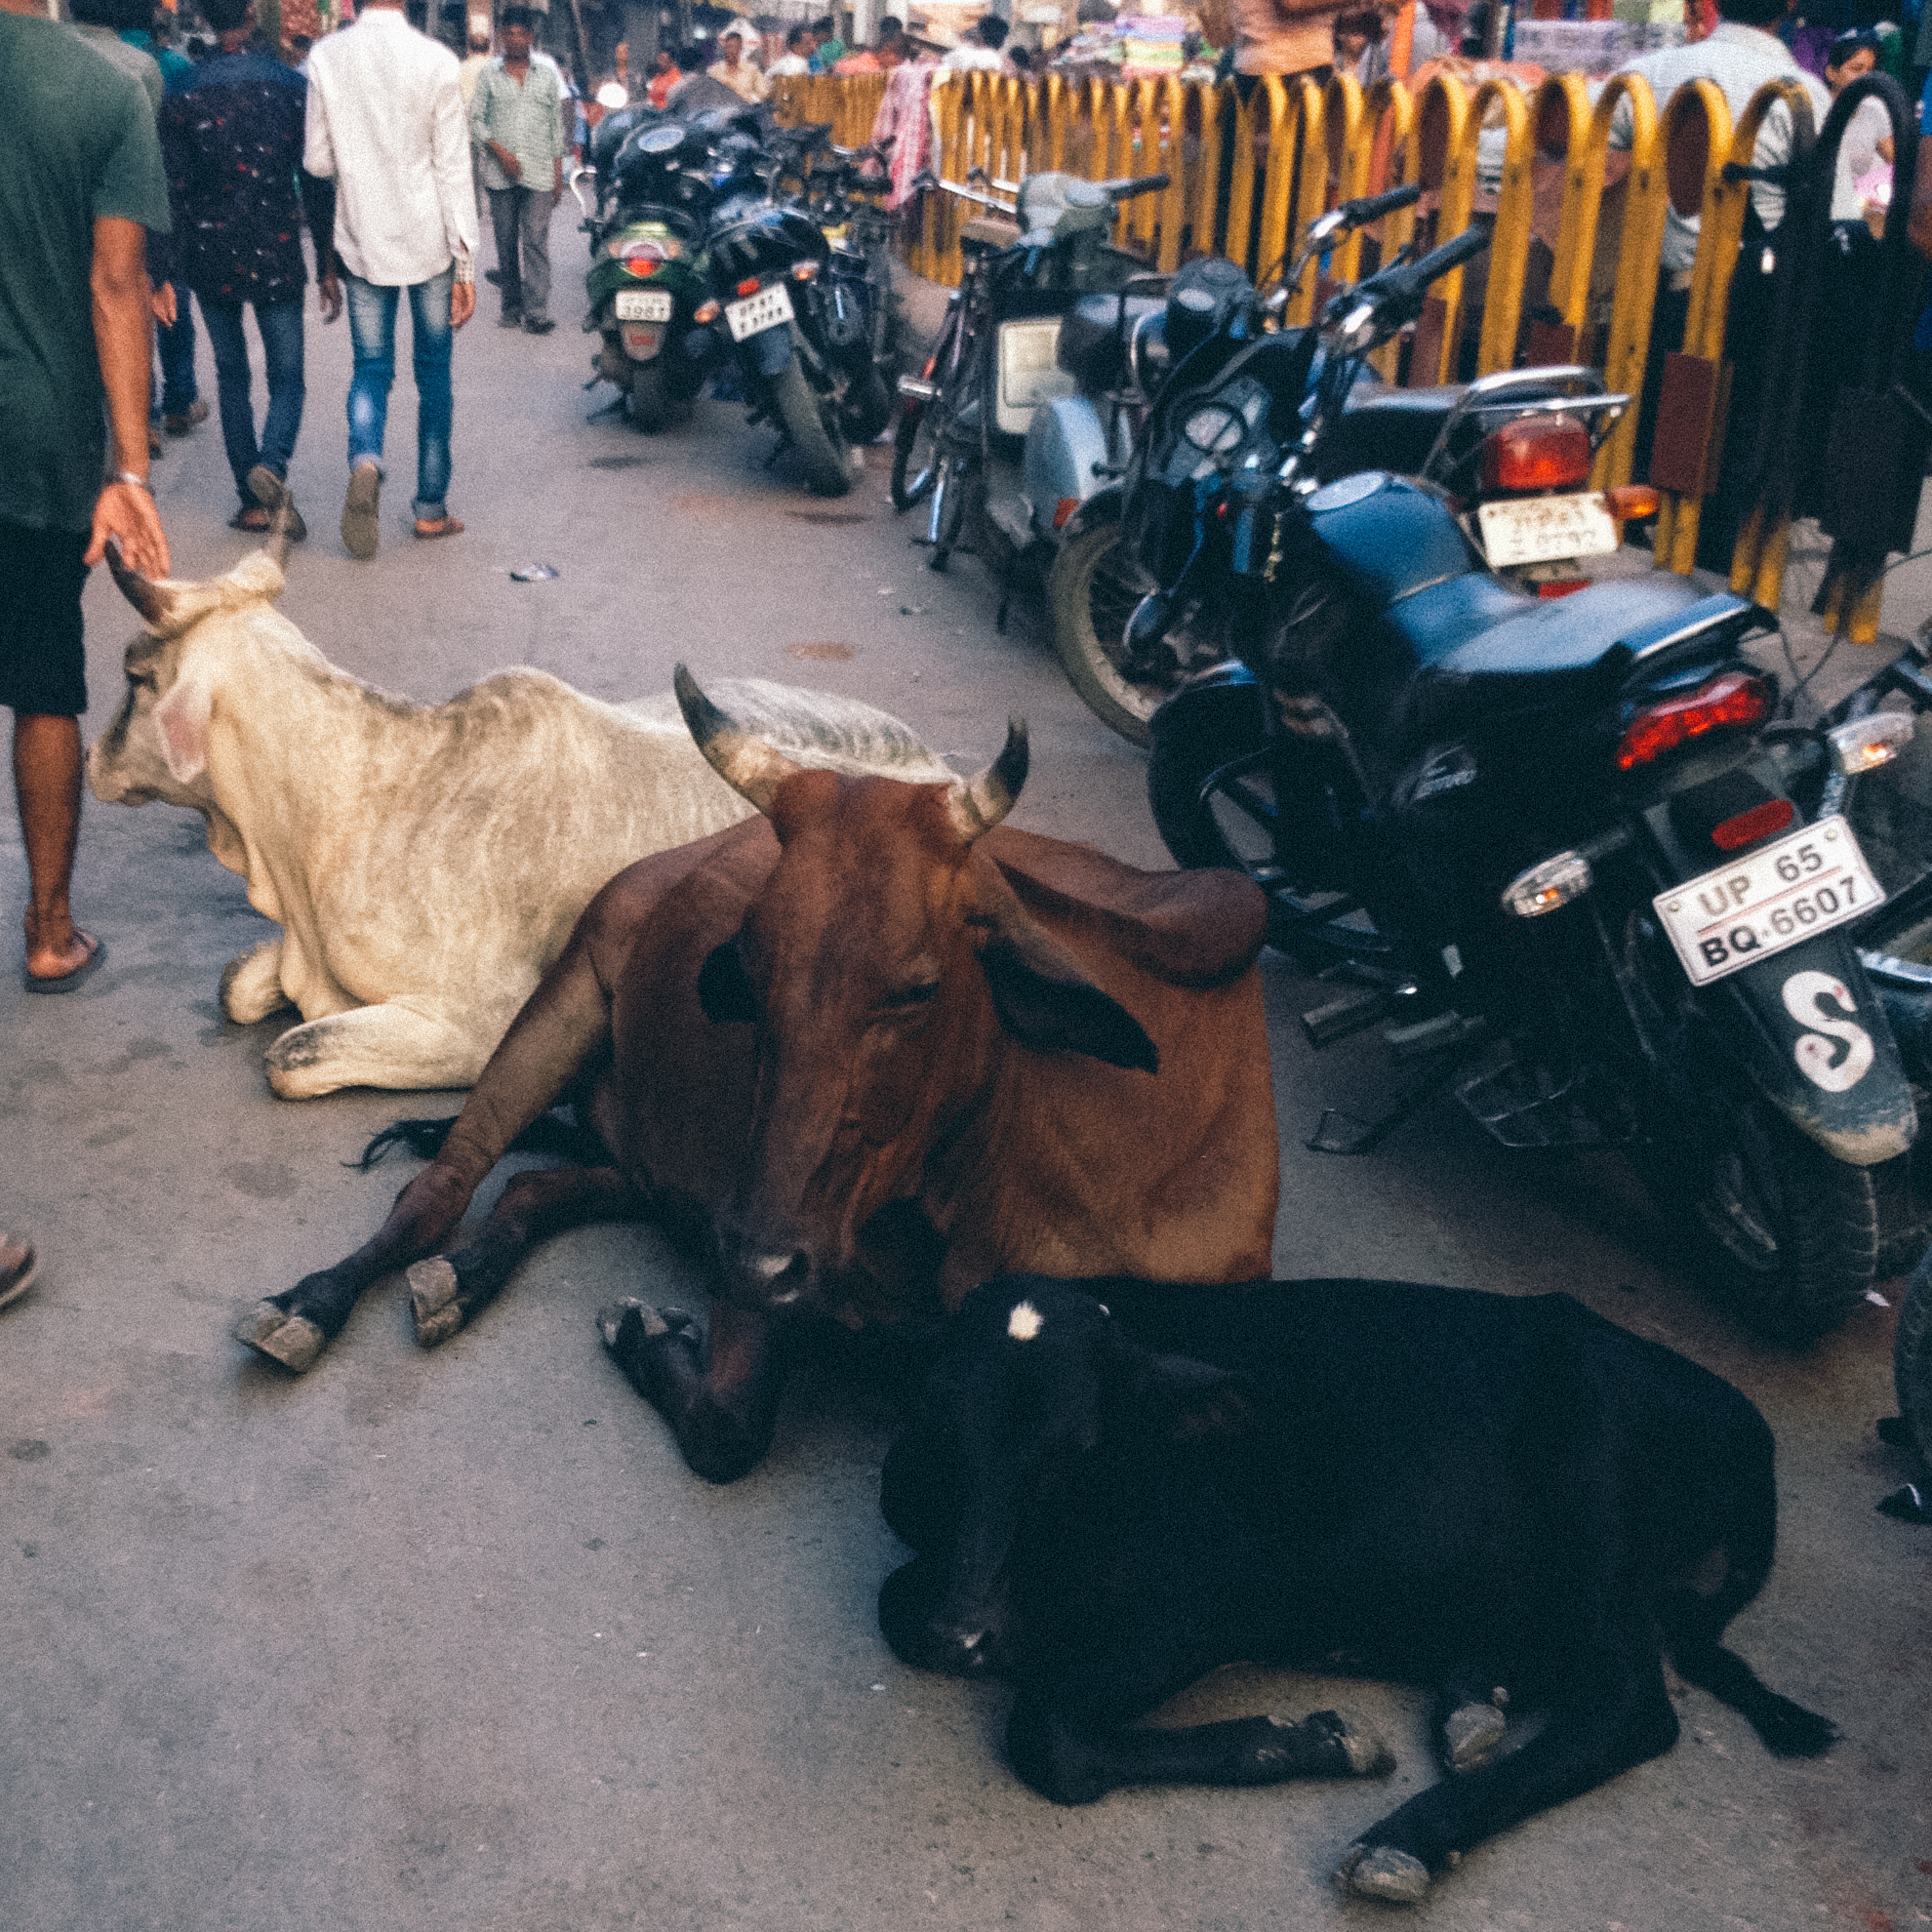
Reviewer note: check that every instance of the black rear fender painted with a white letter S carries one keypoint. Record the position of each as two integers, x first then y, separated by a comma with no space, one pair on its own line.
1811,1035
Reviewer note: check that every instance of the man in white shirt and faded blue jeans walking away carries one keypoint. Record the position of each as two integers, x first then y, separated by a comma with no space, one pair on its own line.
387,123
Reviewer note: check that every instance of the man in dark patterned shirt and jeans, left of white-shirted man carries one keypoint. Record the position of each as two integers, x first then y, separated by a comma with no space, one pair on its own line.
231,138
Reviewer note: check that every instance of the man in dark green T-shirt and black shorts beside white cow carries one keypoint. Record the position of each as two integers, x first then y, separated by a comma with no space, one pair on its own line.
80,179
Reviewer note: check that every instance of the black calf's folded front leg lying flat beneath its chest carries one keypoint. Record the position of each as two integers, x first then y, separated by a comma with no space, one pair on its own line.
1075,1769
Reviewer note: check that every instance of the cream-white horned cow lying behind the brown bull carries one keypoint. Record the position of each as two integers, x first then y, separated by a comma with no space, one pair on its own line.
426,863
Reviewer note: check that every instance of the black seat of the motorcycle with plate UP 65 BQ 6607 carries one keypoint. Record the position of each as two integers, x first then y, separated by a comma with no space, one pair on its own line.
1487,650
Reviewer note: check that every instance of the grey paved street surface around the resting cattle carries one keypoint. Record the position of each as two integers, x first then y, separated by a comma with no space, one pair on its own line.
453,1639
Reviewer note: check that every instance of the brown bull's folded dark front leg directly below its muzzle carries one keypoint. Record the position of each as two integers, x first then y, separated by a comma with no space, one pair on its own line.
722,1402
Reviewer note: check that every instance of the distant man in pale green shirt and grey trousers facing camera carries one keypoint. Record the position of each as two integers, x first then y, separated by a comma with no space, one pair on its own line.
517,121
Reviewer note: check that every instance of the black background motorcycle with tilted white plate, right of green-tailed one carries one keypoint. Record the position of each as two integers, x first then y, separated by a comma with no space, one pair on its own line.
799,320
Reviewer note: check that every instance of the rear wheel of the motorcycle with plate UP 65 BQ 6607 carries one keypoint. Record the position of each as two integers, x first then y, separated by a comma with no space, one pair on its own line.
1784,1232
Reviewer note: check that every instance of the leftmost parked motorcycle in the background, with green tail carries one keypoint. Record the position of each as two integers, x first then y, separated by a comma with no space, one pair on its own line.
646,204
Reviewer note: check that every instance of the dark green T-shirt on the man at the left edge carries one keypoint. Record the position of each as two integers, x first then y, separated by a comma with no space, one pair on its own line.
76,146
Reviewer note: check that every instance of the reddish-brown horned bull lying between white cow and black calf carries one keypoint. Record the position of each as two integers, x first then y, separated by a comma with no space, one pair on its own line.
878,1050
